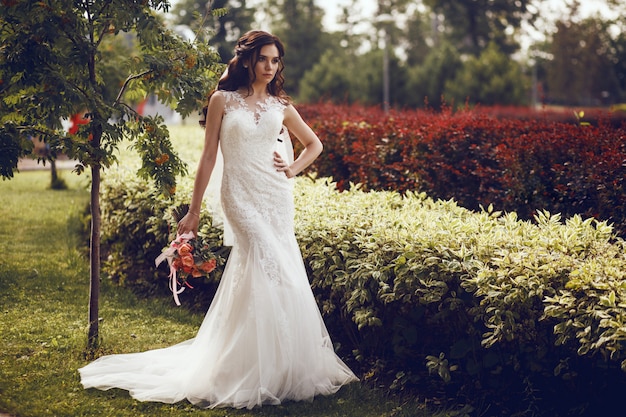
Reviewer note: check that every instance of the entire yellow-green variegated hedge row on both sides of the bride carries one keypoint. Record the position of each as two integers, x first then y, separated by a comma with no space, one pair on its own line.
427,297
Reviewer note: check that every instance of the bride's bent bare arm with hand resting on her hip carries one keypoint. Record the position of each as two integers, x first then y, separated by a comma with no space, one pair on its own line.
312,145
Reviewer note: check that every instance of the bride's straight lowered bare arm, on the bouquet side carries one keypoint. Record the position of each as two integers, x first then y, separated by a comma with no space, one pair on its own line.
215,111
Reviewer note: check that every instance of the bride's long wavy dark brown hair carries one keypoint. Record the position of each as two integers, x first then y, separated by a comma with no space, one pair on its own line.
239,76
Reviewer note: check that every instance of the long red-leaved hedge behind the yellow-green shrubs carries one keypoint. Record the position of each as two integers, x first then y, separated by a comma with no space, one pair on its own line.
480,157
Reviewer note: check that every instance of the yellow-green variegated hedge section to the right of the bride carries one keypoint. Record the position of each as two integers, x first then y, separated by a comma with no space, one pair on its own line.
501,299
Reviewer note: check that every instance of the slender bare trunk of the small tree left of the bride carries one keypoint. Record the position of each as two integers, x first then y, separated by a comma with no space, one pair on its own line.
94,258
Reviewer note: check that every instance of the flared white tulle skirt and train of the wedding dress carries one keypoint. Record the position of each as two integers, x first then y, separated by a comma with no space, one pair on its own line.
263,341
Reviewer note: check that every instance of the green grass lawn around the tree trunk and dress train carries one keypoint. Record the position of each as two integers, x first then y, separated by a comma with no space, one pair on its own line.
44,281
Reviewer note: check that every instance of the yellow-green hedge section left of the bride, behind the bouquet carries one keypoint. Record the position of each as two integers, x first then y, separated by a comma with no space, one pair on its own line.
137,224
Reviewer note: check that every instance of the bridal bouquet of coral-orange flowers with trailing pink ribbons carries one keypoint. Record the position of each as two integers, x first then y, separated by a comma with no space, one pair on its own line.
187,256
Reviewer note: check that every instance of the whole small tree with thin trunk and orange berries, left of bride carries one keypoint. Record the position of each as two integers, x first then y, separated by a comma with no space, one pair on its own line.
53,63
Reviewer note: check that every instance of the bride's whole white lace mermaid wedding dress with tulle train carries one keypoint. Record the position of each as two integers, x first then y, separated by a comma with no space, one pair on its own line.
263,340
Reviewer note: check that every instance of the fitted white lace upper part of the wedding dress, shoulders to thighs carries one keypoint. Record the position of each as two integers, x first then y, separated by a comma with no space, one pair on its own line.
257,200
